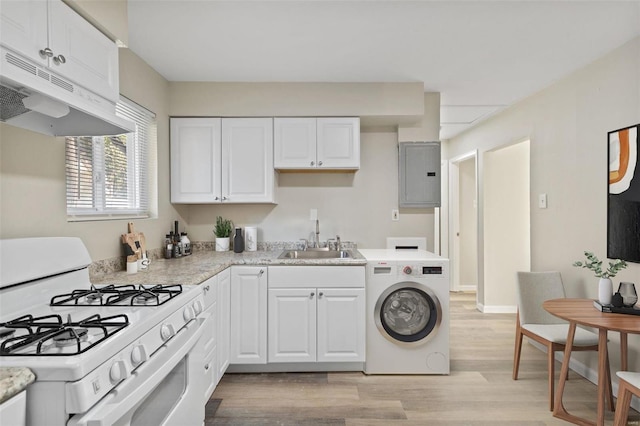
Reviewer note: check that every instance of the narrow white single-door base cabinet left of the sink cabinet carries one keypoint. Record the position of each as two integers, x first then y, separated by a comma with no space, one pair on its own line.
248,315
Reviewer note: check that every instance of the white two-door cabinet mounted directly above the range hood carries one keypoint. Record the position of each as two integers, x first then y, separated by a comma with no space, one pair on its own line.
51,34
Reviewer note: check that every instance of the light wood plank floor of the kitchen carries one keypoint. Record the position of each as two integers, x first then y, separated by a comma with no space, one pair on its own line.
479,391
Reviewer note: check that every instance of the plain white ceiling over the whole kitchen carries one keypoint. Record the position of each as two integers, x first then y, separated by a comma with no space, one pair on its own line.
482,56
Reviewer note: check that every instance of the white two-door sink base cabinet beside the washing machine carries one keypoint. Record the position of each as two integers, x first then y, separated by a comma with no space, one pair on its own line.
316,314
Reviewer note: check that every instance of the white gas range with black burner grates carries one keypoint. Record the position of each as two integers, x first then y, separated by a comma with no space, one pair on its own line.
107,355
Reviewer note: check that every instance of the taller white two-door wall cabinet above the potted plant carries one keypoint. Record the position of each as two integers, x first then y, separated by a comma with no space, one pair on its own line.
228,160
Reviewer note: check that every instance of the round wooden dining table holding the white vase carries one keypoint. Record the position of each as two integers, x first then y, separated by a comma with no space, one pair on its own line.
582,312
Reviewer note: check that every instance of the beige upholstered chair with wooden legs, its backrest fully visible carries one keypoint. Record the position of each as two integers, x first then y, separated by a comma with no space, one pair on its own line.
533,288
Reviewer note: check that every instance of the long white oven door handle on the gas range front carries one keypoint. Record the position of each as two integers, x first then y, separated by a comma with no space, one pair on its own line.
125,398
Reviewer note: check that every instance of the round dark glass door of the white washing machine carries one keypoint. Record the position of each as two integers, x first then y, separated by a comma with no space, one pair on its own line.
408,313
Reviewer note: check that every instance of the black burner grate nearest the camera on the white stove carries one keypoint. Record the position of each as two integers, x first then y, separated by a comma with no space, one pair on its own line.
50,329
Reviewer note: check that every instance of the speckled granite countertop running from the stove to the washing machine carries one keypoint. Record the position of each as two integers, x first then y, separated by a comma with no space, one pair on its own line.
202,265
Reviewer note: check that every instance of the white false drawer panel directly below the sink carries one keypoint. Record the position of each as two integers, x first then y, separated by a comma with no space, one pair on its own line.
316,276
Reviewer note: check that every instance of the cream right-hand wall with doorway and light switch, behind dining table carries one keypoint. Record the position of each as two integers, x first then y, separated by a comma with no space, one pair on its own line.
567,126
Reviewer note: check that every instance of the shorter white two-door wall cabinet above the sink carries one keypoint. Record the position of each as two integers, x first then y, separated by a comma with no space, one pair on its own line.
317,143
